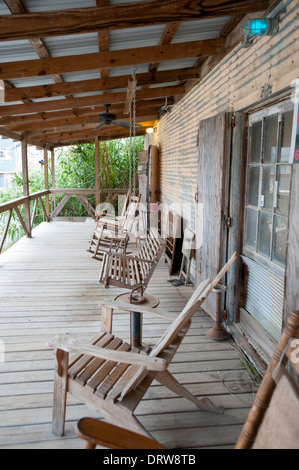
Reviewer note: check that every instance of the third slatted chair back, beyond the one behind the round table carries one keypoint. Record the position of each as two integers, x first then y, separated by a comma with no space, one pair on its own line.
112,234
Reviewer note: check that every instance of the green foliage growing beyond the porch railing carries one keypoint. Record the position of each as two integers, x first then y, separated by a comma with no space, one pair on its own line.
75,168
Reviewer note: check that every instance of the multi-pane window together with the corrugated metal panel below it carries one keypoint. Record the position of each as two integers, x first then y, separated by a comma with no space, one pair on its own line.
268,183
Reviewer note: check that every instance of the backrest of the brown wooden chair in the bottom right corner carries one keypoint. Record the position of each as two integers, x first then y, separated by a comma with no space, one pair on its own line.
273,421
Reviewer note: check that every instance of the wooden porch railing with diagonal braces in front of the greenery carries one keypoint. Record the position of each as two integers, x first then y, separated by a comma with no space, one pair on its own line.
28,222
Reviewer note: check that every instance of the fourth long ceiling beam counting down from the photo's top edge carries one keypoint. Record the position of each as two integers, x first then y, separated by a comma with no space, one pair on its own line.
56,105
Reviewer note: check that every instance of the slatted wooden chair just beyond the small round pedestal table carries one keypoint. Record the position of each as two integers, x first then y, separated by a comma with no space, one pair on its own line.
133,272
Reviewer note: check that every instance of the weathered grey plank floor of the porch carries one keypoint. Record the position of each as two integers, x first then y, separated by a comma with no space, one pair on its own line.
49,286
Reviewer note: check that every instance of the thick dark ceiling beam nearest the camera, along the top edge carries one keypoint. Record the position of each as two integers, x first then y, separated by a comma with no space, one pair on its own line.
84,20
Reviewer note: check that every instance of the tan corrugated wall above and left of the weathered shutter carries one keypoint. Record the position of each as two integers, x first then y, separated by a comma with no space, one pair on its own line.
238,82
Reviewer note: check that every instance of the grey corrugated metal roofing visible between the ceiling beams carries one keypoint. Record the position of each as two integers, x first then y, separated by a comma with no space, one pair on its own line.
122,39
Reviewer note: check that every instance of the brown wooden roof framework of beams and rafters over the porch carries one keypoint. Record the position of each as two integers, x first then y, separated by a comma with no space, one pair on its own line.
66,120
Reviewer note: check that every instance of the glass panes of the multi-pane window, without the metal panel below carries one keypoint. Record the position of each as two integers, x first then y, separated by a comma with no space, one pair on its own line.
268,183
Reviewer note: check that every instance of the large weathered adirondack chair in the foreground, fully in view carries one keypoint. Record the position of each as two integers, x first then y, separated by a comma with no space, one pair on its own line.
108,376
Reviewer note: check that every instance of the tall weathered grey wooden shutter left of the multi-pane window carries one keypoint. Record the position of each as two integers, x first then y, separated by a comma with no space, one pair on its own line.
214,137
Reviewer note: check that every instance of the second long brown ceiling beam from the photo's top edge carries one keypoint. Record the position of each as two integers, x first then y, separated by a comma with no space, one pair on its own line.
122,58
